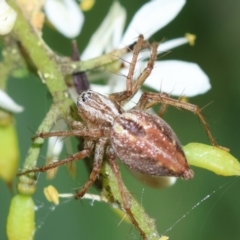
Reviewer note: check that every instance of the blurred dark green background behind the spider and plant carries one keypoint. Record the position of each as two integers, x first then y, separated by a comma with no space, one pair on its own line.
217,51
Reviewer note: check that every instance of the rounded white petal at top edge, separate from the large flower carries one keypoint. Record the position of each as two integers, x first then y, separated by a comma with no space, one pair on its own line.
65,15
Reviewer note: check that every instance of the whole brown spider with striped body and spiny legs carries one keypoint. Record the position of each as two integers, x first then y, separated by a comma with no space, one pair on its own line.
142,141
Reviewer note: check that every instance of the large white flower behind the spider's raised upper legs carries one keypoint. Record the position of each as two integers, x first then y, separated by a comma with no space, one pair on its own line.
174,77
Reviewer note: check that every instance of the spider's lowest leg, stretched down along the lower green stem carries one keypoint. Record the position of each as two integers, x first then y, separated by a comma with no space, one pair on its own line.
125,198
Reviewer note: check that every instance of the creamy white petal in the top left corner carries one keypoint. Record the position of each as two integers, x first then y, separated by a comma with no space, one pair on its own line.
7,18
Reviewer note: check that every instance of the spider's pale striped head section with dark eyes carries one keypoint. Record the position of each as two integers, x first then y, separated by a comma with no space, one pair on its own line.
97,109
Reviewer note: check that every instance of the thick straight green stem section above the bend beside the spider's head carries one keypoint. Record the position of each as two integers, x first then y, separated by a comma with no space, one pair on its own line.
40,54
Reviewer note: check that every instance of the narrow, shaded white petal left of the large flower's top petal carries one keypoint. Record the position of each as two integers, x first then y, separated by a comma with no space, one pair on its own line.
109,33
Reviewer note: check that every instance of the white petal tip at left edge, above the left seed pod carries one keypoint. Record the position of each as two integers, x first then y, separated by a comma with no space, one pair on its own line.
7,103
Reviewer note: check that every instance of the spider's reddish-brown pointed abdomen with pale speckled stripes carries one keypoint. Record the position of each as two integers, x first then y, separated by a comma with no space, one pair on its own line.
147,144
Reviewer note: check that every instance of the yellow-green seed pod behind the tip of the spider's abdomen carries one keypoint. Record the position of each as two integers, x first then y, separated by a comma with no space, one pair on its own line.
212,158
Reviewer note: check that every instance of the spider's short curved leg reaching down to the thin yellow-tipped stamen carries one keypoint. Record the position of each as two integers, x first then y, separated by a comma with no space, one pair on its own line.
98,158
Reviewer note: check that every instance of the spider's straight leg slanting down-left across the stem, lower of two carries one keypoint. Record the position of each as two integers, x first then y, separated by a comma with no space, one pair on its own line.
77,156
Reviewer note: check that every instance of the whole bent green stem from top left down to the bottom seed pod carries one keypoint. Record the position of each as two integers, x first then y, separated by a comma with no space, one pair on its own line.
43,59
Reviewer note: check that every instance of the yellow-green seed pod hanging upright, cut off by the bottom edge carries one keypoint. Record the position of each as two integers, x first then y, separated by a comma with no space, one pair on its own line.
20,222
